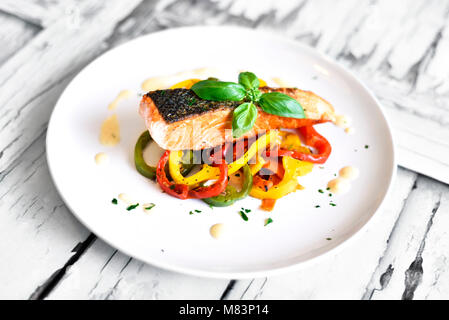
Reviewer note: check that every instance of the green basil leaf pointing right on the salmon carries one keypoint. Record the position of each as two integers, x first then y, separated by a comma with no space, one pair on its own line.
281,105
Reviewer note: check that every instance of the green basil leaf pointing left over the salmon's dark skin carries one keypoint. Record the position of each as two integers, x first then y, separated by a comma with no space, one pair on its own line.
219,91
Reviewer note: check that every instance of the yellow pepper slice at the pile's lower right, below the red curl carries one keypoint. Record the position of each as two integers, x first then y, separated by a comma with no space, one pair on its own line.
293,169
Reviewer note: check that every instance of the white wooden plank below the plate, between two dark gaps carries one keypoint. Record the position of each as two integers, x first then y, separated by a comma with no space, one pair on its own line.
104,273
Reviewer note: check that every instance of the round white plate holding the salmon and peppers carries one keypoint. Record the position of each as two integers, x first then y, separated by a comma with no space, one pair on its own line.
169,237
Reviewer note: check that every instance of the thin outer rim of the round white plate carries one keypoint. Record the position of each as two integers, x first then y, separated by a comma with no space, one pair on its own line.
243,274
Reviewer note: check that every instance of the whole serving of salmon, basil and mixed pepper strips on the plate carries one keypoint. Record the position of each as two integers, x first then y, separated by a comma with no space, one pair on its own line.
244,138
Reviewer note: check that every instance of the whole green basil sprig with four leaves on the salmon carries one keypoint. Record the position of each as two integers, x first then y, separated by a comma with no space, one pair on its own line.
247,91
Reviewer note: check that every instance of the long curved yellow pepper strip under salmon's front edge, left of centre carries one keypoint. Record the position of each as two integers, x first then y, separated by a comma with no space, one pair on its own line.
208,172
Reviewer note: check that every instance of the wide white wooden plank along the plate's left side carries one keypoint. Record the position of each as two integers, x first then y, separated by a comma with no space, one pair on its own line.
38,233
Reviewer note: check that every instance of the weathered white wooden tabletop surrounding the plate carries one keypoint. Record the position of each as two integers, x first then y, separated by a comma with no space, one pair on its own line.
399,48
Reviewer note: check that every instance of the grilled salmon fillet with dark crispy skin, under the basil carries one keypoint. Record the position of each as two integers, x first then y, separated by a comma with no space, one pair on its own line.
178,119
